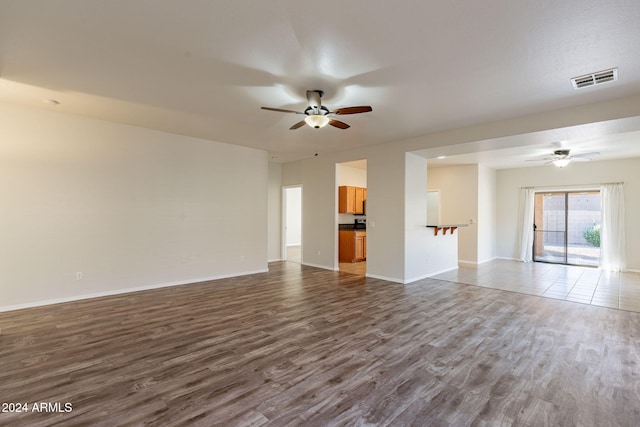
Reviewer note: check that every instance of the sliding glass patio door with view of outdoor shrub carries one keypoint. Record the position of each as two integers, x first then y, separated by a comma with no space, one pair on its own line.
567,228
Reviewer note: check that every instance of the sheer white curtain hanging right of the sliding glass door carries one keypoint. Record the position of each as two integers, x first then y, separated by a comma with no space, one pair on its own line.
612,232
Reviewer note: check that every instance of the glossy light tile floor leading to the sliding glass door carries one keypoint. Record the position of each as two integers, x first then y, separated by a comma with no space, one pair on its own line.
578,284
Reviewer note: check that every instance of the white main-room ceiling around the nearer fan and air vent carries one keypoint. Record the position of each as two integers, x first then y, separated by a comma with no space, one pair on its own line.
204,68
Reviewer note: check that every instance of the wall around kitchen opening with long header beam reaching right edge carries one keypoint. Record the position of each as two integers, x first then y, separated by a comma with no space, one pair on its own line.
385,177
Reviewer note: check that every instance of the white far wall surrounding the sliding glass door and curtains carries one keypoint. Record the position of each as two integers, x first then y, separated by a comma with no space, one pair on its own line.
575,175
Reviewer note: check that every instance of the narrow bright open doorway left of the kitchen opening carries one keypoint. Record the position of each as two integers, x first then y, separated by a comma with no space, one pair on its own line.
292,220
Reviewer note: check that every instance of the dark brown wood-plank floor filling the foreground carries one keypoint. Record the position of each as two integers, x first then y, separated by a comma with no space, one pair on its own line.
304,346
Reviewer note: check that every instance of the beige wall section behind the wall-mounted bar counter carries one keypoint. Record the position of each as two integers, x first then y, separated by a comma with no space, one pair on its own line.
458,187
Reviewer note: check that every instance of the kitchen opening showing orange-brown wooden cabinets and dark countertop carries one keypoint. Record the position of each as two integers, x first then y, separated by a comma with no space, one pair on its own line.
351,180
